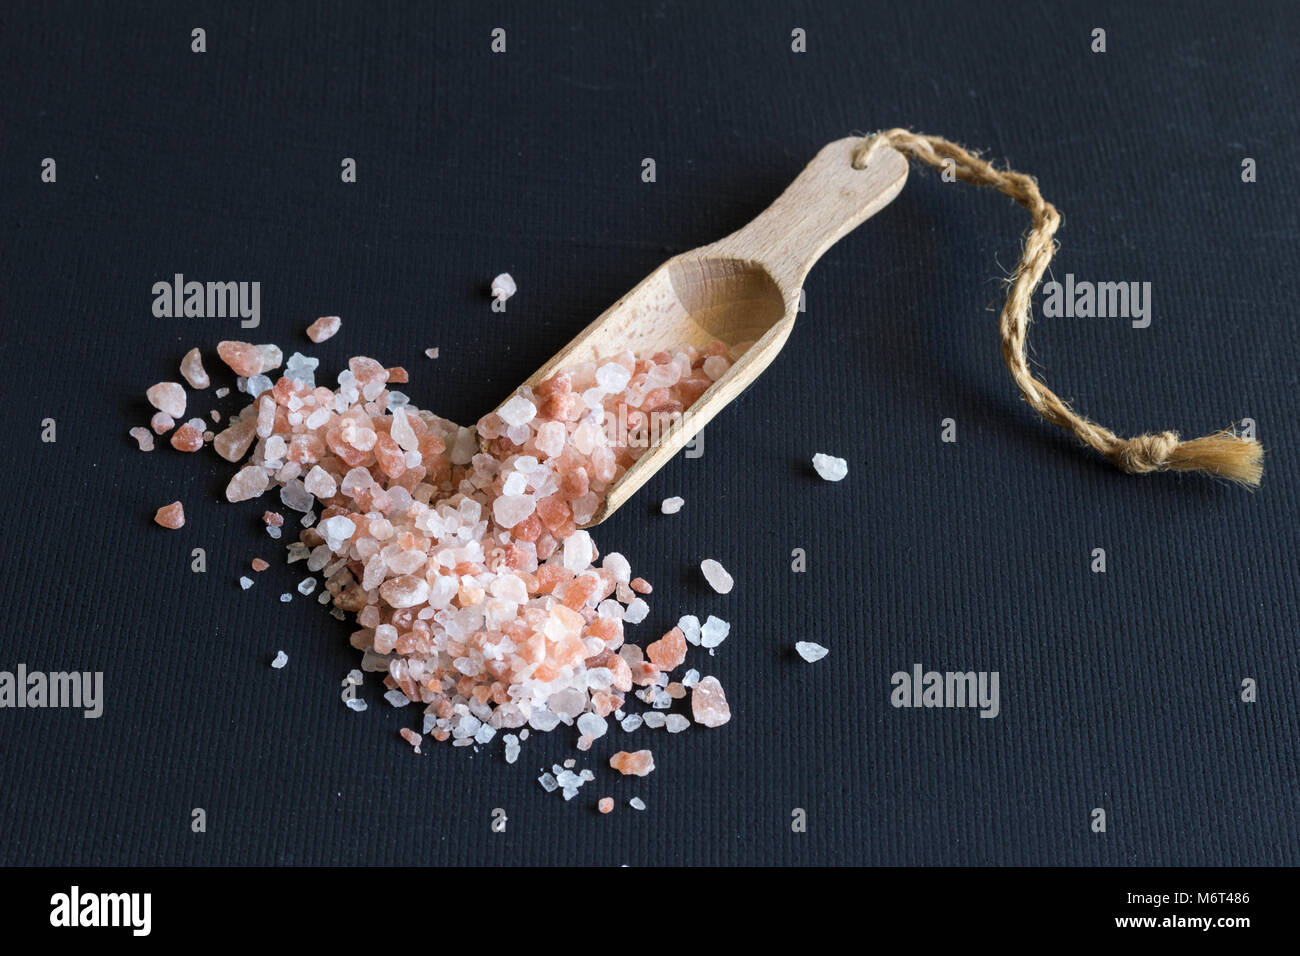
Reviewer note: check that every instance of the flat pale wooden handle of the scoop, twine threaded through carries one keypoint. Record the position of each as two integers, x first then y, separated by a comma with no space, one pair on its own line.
825,204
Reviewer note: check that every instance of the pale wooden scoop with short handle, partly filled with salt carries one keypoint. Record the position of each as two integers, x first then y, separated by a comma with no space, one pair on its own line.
744,288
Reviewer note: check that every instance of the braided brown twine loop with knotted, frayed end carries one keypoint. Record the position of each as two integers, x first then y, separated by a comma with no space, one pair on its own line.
1223,453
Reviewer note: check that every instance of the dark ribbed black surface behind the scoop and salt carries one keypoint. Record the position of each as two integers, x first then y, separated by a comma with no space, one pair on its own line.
1119,691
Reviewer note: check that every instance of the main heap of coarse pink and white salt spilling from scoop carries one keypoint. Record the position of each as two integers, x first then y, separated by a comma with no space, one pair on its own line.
458,550
